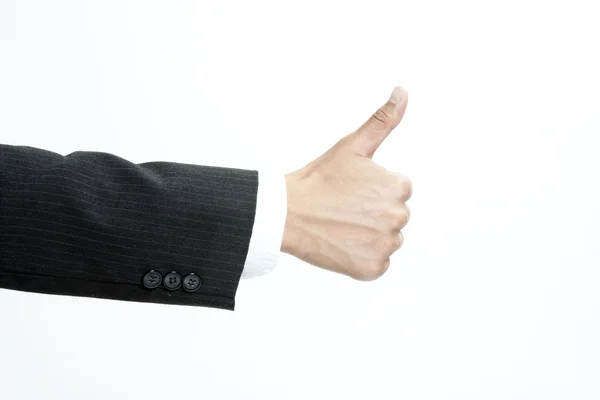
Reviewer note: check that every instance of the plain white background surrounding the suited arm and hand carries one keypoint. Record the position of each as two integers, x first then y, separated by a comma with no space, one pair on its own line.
496,292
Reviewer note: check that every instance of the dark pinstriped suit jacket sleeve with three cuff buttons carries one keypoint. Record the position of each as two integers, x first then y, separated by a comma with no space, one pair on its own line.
93,224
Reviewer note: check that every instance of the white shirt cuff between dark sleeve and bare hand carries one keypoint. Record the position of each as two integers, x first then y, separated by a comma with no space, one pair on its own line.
269,222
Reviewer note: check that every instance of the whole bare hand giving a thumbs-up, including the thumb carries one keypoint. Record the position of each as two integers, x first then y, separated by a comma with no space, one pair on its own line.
345,212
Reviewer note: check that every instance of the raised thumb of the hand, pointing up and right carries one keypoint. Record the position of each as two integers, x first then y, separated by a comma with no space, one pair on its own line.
367,138
